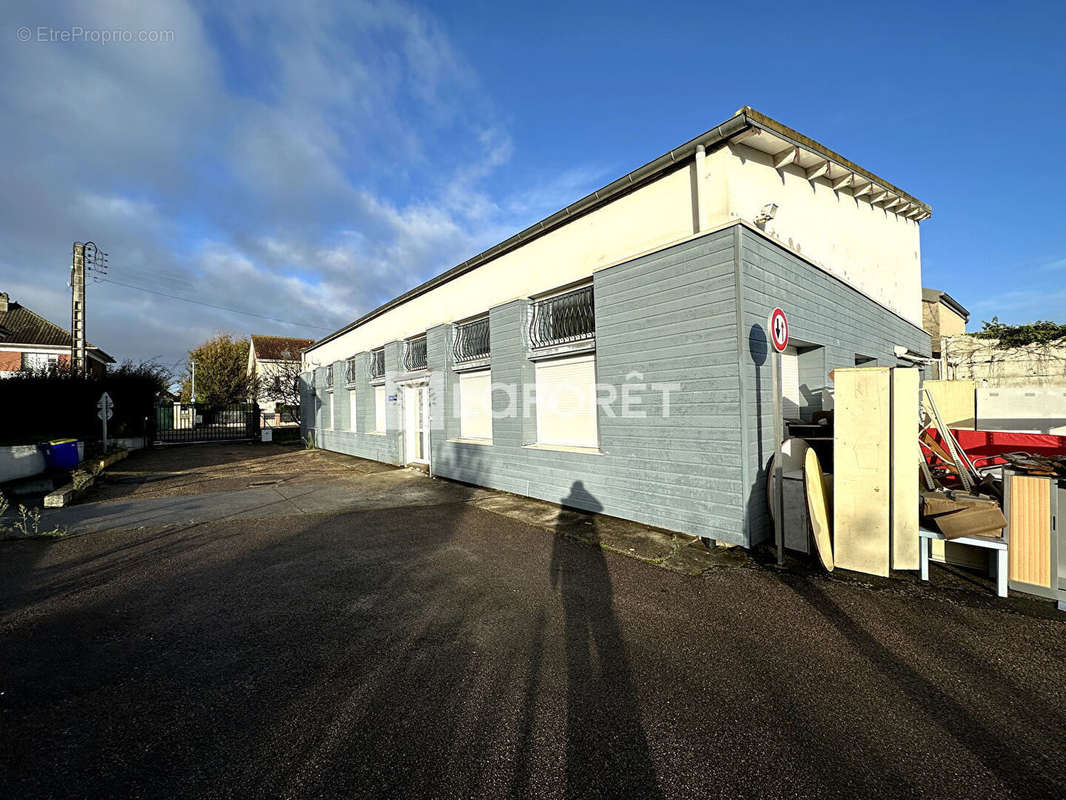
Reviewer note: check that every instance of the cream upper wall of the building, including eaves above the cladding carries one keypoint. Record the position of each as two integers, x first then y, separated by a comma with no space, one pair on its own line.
845,220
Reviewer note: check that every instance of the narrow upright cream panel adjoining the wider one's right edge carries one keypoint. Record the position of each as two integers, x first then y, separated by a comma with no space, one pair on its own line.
905,509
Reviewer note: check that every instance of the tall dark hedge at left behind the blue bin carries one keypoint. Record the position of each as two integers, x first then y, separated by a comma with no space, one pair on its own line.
41,407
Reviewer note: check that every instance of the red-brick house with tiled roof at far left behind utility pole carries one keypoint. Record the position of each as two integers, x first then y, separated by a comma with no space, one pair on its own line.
29,342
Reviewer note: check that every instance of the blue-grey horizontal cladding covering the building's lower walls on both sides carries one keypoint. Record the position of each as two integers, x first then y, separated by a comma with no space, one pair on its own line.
688,315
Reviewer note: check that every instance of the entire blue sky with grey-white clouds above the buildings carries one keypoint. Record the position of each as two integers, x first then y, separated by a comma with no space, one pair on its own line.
306,163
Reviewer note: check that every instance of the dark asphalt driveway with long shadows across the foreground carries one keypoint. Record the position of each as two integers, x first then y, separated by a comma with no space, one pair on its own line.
440,649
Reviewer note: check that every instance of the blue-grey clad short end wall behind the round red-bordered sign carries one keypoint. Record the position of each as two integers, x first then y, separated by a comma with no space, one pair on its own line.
829,321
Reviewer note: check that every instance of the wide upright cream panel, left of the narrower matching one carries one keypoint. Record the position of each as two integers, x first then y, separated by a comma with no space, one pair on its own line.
862,457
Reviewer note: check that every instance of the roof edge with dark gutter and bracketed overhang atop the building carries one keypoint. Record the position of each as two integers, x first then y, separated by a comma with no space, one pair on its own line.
748,126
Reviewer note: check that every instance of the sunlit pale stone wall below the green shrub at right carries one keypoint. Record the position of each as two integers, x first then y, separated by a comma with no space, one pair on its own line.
982,361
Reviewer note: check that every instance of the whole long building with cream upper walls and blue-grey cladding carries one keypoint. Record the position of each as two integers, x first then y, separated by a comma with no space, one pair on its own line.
622,343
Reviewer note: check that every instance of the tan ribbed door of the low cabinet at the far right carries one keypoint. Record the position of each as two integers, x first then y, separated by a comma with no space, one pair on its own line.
1029,551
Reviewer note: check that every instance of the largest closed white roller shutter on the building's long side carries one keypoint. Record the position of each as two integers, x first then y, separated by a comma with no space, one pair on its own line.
567,403
